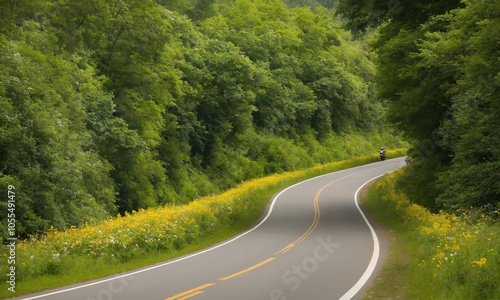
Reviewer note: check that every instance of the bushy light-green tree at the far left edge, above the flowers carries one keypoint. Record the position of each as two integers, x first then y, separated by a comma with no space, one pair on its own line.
46,148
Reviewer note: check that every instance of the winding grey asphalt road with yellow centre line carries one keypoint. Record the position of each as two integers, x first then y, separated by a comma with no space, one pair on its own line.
314,242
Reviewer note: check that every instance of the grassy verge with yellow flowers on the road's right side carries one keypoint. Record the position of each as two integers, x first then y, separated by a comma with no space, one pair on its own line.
433,256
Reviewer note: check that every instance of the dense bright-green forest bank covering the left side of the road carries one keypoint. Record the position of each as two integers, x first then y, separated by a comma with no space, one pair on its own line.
109,106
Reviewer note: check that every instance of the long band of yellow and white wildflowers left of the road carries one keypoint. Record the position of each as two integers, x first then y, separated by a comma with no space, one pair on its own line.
155,229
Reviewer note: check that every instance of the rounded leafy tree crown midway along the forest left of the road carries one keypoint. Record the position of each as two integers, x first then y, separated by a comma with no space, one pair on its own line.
224,97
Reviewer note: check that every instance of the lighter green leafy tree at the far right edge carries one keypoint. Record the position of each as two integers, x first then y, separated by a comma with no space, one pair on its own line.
471,132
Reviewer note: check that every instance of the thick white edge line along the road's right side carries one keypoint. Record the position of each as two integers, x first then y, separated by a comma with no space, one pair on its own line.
376,249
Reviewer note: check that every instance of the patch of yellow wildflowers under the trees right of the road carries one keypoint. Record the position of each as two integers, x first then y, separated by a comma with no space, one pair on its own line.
459,237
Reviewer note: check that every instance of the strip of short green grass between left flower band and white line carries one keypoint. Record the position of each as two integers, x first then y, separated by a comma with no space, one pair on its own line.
78,268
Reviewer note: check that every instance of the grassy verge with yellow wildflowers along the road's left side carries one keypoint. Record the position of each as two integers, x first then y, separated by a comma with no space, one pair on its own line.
150,236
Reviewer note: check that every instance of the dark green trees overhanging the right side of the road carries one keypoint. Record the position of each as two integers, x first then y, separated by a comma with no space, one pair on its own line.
439,70
